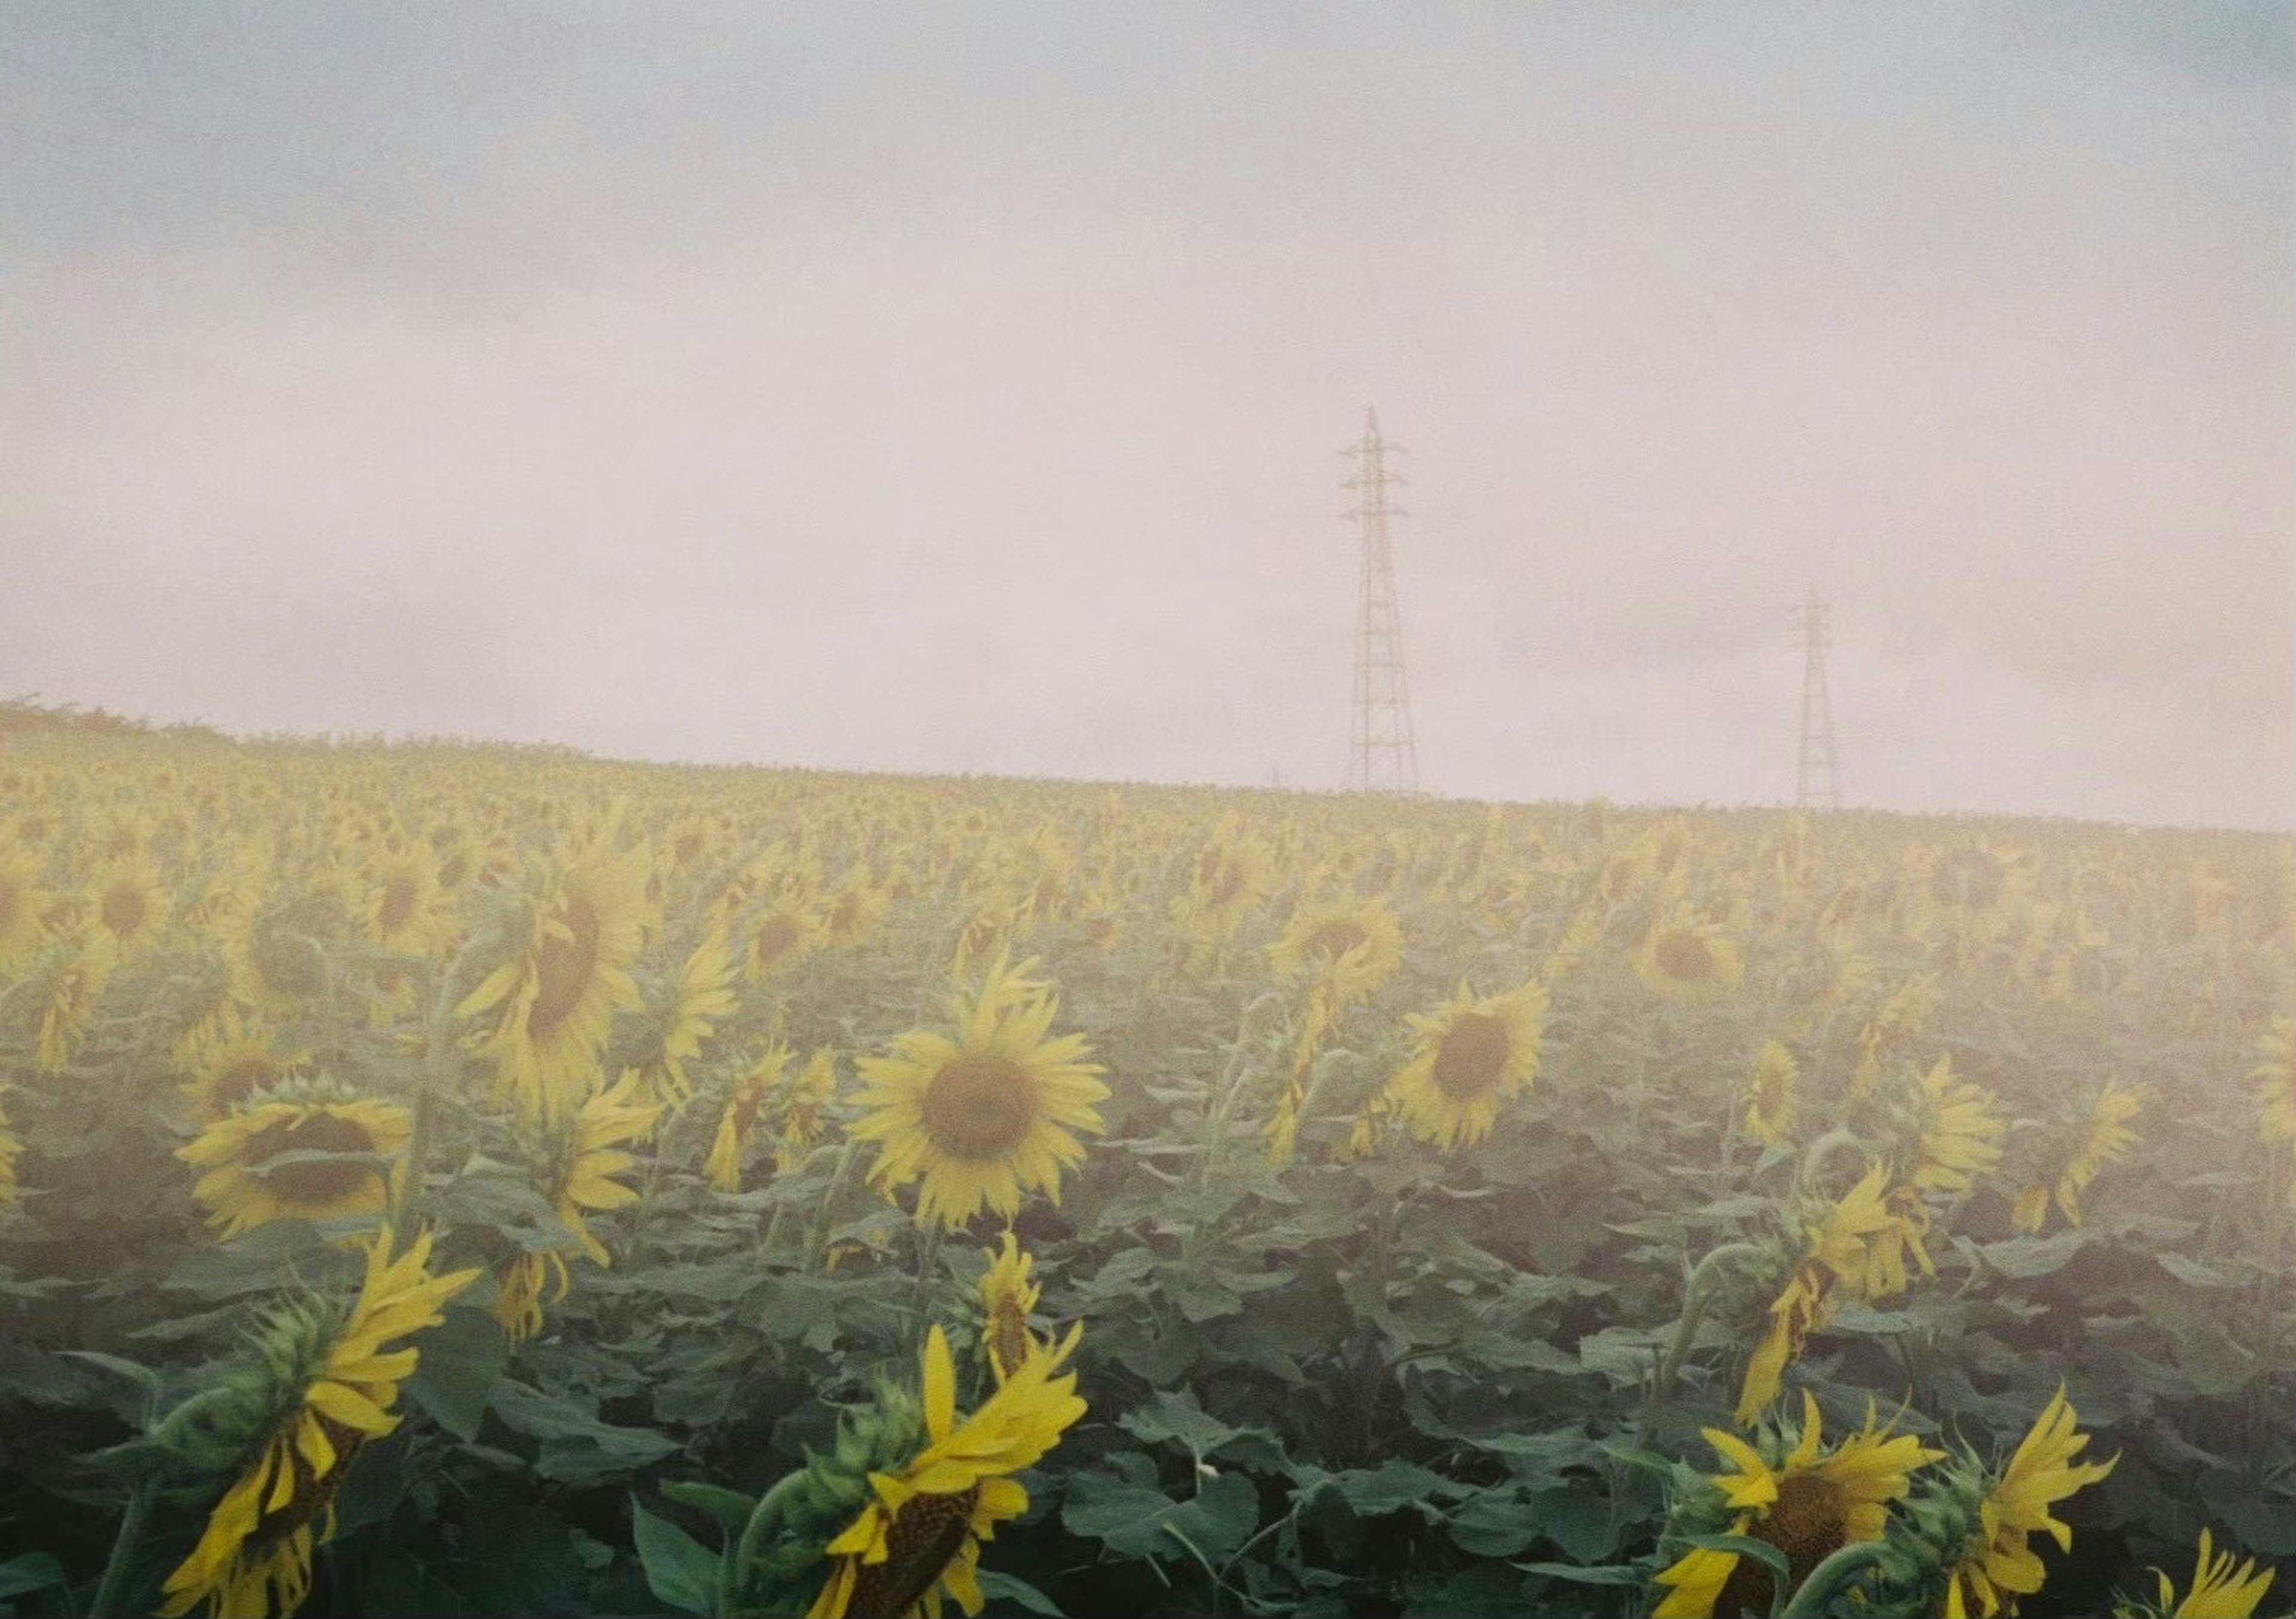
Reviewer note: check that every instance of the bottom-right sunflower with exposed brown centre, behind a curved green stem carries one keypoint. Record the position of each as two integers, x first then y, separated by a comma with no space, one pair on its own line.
1804,1501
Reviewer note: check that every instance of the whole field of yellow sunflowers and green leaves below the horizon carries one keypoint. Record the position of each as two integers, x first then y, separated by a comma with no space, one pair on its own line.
495,1182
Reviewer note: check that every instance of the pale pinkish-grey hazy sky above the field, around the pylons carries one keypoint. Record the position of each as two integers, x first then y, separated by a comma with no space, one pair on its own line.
959,387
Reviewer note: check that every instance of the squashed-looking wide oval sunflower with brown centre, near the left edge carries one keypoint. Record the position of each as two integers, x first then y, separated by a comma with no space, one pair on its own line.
334,1161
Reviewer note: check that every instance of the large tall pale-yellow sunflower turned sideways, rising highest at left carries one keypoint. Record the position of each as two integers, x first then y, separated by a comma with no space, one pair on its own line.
557,996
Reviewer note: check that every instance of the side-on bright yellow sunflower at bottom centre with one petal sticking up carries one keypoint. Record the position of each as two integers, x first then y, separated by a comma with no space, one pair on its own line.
920,1535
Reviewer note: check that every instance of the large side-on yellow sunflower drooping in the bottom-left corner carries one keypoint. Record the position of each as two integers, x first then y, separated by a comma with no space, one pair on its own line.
332,1384
